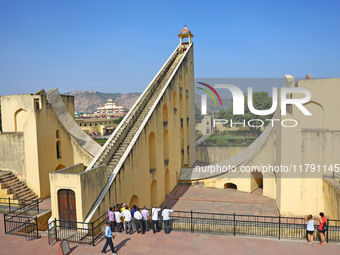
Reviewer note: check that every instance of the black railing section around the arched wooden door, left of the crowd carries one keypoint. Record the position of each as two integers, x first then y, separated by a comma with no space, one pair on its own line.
76,232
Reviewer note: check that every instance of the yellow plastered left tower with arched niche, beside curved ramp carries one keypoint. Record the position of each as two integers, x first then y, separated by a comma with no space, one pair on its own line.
39,125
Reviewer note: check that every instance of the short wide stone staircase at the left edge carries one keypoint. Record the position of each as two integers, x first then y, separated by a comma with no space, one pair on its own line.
14,188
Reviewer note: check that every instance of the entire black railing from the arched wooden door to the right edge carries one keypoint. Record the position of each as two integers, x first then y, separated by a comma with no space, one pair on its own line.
198,222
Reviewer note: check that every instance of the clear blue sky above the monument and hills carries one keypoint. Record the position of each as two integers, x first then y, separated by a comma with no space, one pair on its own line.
118,46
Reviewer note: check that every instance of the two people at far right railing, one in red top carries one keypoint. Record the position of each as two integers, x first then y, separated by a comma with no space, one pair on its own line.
322,228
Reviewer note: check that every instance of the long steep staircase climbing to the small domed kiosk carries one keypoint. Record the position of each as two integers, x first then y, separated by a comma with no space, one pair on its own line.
122,139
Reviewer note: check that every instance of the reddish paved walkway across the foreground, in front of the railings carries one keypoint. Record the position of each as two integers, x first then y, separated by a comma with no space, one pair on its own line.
175,243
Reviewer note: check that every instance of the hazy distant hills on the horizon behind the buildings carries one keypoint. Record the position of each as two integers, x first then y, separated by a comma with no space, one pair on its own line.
89,101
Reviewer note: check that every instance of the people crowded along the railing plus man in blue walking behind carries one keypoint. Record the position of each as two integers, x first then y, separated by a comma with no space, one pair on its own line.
122,218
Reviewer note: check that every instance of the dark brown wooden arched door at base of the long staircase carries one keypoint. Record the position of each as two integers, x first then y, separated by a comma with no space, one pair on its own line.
67,208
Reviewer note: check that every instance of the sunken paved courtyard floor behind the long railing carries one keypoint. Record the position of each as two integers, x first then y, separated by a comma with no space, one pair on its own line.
199,199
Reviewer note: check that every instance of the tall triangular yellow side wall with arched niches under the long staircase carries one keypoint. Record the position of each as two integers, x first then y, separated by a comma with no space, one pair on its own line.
134,180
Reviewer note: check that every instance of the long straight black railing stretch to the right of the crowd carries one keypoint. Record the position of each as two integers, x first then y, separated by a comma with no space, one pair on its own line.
248,225
